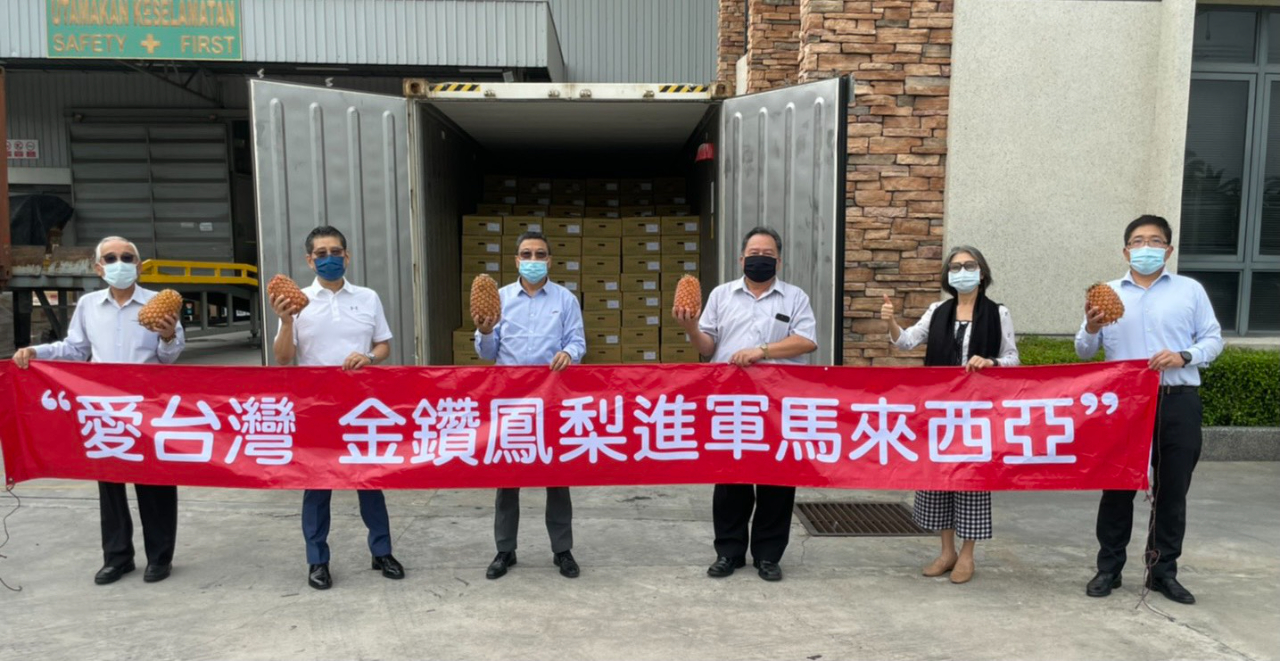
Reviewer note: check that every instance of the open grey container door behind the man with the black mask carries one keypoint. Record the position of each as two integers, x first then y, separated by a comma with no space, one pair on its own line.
783,166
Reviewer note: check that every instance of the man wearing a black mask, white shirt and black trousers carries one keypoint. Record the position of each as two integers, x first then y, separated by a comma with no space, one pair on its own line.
753,320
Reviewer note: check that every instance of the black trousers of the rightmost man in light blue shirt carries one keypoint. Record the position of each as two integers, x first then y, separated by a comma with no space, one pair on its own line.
1176,452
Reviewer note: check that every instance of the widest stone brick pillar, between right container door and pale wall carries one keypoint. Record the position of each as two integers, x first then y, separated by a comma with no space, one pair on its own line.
899,53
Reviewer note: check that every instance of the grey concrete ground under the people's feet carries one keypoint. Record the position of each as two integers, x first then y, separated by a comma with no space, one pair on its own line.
239,589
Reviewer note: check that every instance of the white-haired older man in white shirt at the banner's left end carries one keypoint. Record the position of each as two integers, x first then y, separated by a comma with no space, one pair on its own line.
106,330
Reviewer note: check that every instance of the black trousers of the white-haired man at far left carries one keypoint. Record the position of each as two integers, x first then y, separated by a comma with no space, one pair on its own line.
158,508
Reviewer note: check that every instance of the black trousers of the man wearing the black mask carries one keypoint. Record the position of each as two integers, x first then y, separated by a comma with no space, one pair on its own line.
767,535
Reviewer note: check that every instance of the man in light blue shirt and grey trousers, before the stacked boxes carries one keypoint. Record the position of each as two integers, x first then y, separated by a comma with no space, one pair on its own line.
541,325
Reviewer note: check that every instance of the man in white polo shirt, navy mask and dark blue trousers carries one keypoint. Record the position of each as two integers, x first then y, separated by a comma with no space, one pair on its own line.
344,326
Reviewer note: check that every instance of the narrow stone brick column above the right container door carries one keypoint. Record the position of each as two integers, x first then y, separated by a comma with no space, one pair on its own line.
772,44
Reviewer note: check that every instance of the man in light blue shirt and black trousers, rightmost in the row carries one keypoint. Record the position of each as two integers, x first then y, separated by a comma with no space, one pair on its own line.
1169,322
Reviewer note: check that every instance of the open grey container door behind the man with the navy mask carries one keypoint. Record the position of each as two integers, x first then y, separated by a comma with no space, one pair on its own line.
336,158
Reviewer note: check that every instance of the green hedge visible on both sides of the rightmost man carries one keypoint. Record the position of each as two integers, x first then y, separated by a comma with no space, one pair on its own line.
1241,389
